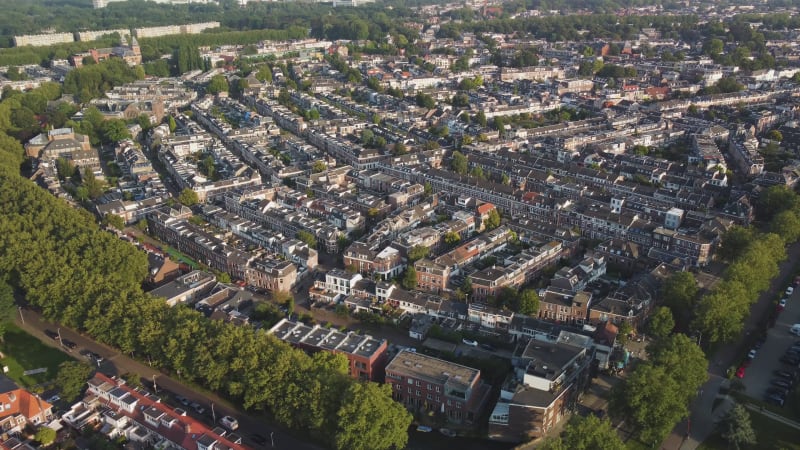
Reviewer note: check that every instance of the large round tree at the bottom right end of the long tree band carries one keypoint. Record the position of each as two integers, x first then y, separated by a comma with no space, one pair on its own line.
370,420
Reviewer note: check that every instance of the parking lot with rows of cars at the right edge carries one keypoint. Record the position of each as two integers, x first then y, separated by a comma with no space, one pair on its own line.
760,372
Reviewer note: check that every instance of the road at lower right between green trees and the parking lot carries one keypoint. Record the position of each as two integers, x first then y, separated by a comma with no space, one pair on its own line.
688,434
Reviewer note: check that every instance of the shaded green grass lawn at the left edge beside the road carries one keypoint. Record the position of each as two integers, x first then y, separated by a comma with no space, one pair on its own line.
24,352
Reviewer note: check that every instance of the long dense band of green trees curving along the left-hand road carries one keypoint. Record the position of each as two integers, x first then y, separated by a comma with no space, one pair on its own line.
87,279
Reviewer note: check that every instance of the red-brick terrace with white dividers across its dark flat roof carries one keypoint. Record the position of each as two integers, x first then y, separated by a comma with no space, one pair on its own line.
366,356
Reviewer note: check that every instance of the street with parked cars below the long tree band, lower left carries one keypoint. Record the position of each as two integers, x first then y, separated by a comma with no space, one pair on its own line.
116,363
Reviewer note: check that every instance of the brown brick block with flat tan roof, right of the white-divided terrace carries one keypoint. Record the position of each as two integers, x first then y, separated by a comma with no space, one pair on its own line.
426,384
